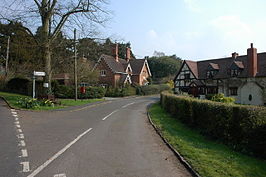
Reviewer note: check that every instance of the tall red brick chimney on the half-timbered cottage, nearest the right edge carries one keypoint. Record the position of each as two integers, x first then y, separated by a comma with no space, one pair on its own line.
252,61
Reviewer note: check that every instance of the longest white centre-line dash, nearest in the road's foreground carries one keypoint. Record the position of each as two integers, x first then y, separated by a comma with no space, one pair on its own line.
40,168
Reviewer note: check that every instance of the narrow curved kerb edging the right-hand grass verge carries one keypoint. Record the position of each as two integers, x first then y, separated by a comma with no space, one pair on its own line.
177,154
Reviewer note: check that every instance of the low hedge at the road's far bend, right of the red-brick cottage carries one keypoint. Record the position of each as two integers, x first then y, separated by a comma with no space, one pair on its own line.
152,89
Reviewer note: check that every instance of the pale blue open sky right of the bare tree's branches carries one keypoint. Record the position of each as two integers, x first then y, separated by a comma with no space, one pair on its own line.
191,29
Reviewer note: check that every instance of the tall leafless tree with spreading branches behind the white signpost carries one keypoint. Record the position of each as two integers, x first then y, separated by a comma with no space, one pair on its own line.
51,16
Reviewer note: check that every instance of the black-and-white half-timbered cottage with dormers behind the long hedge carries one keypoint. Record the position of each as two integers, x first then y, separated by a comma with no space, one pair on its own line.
242,77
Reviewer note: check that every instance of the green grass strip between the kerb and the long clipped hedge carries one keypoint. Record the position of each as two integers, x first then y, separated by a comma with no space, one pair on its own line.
207,157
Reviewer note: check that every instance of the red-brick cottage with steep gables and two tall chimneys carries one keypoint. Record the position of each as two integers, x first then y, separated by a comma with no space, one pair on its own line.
116,72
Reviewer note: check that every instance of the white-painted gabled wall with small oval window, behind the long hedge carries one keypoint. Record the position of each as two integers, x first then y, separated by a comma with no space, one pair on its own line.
251,88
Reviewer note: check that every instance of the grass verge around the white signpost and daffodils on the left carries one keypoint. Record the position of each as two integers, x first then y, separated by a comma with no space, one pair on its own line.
12,99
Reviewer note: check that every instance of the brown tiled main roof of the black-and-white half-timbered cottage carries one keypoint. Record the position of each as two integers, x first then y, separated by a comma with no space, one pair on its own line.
200,68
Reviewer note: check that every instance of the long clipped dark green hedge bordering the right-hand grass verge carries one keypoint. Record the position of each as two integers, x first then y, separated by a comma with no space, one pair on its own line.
240,126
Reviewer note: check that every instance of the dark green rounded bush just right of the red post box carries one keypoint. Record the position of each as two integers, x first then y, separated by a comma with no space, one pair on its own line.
92,92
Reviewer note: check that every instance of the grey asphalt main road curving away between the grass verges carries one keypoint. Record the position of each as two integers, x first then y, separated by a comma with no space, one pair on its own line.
113,138
